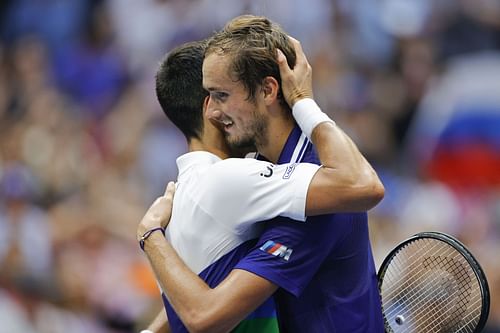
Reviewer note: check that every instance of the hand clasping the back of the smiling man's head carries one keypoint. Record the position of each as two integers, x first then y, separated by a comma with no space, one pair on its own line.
296,83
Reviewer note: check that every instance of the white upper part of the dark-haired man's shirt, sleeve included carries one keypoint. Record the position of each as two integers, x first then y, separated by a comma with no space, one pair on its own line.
218,202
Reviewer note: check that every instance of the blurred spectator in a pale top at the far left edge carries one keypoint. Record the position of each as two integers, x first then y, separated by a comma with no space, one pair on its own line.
25,241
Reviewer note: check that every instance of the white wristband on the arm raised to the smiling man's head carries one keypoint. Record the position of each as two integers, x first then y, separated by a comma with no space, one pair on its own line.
308,115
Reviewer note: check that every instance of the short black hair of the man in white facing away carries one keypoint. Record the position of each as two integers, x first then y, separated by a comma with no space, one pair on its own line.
179,88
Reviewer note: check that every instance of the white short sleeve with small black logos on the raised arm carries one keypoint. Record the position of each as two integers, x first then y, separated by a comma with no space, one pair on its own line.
246,191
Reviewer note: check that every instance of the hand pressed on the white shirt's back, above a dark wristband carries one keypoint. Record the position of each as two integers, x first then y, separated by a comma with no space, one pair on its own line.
158,215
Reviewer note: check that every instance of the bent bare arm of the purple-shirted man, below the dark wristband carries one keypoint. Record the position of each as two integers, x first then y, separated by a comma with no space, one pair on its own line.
201,308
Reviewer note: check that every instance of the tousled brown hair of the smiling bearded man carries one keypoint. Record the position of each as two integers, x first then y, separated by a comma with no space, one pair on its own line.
251,42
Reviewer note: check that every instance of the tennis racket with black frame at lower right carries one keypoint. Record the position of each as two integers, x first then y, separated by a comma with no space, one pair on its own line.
431,283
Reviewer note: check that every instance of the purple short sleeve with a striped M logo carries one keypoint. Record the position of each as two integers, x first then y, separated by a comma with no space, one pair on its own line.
289,254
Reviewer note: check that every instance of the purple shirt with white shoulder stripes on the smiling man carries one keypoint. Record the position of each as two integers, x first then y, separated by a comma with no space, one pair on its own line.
324,267
